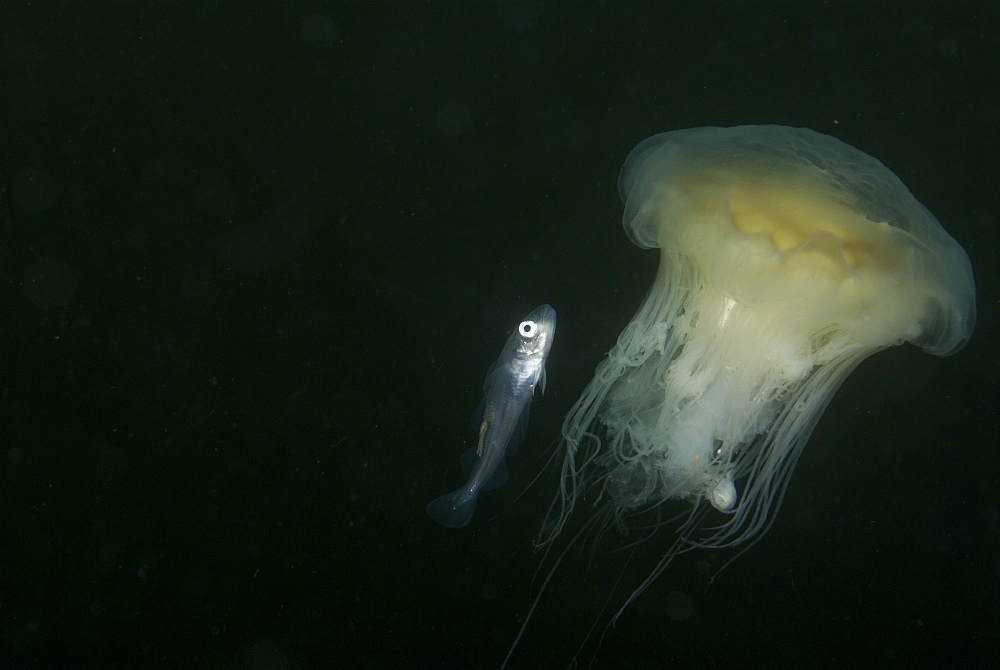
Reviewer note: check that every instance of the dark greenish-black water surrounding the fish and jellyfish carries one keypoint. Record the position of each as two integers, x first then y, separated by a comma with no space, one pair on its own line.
255,262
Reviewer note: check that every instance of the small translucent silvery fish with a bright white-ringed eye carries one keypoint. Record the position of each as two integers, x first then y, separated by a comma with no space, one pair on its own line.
507,392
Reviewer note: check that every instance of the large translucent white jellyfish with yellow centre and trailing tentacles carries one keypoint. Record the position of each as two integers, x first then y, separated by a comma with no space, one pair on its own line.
786,258
